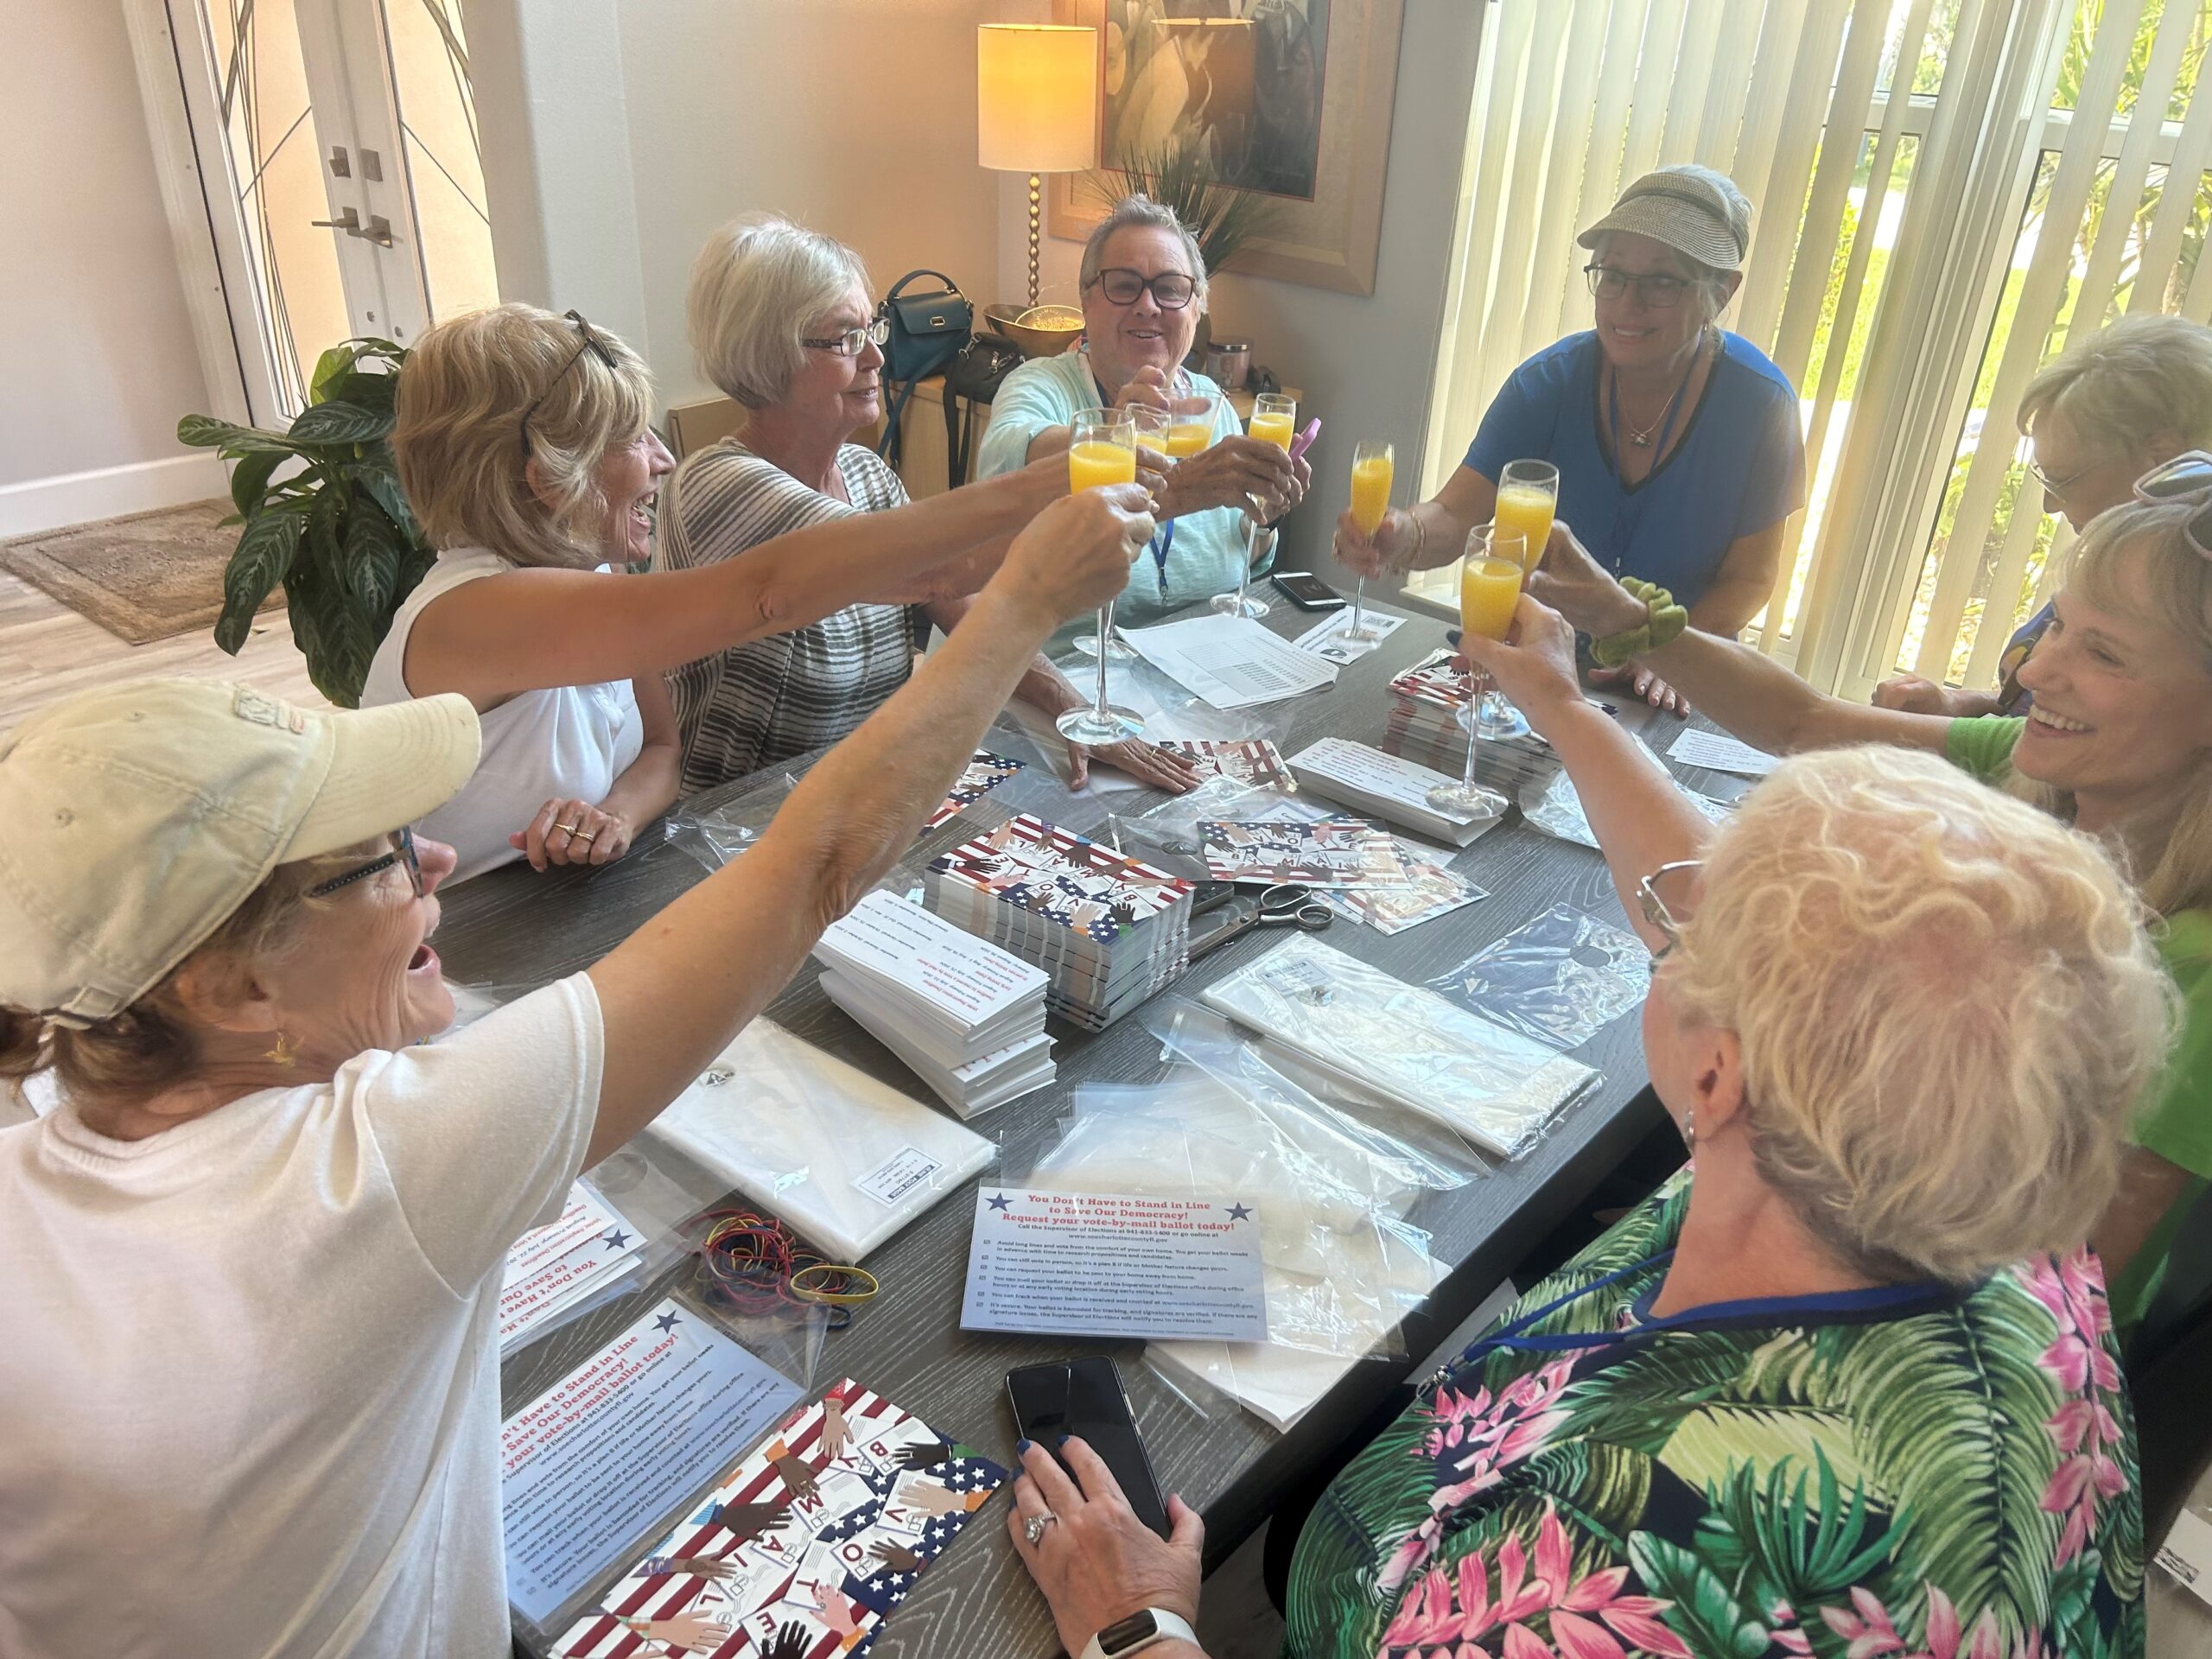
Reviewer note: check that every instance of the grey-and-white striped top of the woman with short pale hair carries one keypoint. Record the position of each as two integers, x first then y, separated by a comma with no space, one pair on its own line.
769,700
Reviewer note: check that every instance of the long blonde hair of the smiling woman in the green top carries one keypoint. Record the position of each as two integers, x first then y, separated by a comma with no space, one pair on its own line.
2138,561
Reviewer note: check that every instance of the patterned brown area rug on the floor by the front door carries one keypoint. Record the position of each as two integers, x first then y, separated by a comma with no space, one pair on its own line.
147,576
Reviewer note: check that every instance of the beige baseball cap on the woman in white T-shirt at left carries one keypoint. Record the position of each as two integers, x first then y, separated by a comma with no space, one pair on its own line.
143,815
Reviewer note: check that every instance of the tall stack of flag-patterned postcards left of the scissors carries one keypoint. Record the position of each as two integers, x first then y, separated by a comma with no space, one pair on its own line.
1107,930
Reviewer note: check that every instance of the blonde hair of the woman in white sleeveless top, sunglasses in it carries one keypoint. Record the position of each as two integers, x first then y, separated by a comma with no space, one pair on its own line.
461,450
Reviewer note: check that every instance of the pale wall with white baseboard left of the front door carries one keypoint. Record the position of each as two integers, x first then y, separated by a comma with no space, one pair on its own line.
96,348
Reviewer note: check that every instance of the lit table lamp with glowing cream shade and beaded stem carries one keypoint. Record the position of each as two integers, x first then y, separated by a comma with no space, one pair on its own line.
1036,107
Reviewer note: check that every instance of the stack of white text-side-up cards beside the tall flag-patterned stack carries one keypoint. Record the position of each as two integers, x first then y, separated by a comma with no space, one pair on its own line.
961,1012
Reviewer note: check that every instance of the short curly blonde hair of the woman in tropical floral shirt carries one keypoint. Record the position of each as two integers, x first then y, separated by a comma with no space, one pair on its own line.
1945,1001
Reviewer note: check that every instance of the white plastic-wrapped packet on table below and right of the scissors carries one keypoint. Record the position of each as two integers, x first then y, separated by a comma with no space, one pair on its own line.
1399,1043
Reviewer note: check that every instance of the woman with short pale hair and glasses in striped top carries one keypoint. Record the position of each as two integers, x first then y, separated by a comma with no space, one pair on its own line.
782,322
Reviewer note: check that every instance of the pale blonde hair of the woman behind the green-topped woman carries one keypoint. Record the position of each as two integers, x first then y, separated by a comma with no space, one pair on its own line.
2131,384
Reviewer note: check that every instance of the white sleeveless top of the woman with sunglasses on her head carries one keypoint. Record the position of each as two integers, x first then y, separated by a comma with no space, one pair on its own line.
565,742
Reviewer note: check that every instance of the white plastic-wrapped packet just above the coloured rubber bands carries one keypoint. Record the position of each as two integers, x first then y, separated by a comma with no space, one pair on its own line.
835,1154
